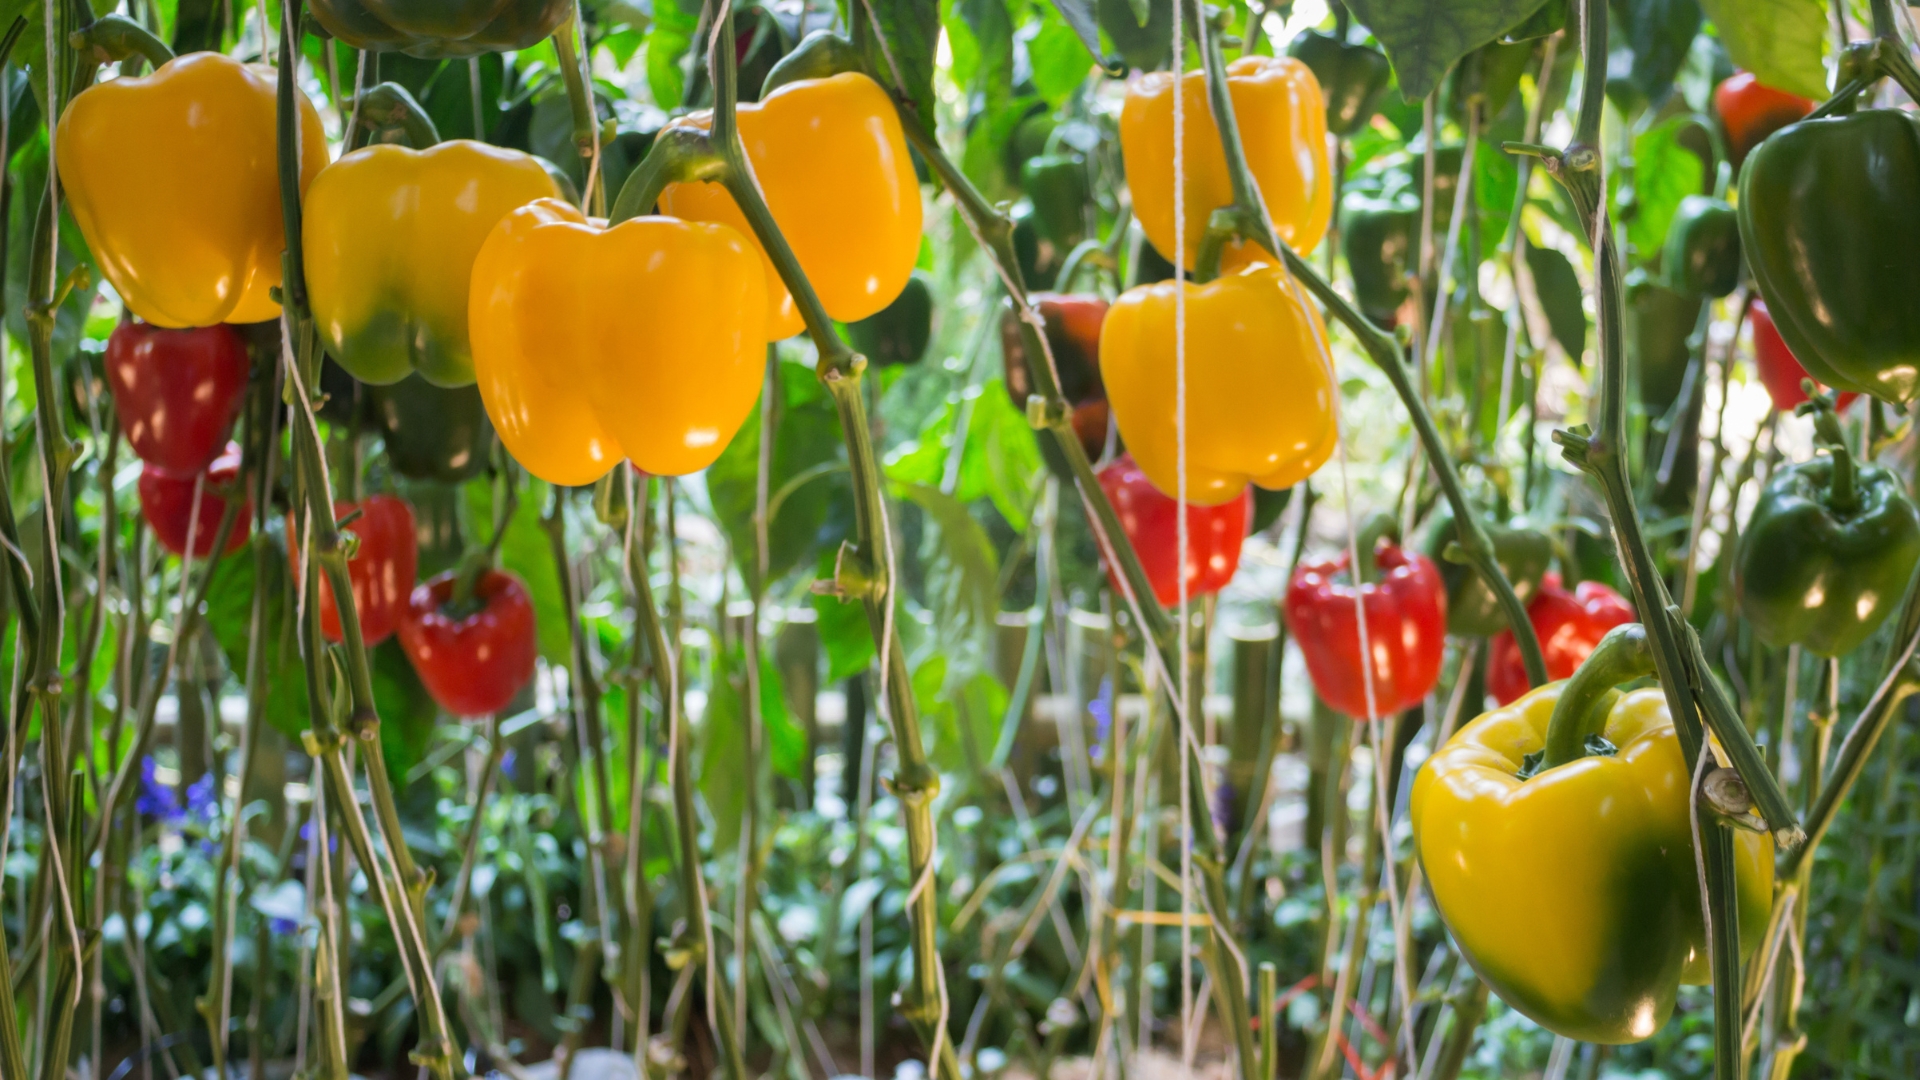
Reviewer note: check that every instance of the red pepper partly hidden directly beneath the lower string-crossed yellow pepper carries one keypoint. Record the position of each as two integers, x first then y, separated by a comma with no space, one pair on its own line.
1151,520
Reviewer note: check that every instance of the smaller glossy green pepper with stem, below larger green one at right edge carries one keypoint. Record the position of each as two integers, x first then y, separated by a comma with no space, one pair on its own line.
1829,551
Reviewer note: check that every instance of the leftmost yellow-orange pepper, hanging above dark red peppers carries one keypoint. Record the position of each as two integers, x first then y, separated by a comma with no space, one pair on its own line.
178,189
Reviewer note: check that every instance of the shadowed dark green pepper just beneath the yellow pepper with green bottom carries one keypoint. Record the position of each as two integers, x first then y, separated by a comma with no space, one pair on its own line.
431,433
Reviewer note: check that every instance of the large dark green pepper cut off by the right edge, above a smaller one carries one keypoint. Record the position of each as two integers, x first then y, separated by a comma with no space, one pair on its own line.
1833,232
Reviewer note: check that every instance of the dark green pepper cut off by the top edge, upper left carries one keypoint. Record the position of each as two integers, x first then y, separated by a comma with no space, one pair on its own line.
443,30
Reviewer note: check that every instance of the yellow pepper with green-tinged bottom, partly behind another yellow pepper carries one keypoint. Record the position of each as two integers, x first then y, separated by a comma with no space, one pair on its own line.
391,243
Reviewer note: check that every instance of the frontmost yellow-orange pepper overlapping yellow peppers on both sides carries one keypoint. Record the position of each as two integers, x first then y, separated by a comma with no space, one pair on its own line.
644,341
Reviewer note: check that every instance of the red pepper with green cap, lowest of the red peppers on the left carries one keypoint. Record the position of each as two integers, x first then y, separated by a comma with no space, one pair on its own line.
471,662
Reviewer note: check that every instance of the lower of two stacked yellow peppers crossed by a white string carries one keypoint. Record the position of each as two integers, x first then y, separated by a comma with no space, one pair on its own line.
1259,383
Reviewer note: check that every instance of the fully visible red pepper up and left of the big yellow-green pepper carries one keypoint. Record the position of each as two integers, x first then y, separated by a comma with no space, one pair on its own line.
1406,629
